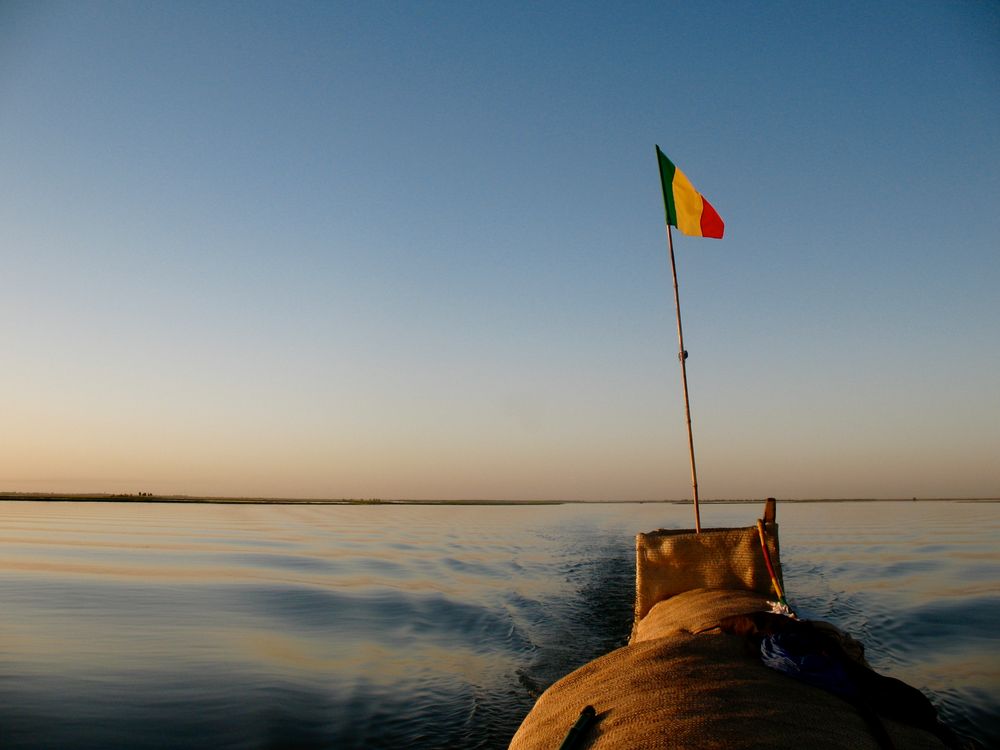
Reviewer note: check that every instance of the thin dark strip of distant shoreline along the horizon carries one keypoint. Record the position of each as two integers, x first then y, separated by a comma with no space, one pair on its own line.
195,500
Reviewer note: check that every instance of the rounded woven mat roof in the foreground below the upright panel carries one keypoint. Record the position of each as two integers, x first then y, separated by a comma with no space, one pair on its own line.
698,691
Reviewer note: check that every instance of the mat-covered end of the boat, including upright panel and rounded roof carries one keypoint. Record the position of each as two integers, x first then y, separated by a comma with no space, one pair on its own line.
693,676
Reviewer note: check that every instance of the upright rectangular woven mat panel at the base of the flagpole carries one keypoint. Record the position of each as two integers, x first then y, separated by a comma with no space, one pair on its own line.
670,562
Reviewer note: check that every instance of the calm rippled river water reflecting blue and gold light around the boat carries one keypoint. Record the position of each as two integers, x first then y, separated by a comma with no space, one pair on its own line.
207,626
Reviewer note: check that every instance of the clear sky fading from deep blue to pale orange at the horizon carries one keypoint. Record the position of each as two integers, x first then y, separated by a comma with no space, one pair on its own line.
417,250
